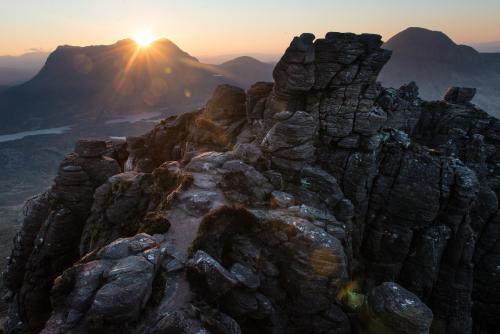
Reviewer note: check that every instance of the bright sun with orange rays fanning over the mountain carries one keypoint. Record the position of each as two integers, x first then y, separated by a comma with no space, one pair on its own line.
156,70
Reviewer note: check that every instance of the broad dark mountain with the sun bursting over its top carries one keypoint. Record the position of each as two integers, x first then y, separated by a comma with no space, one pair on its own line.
95,83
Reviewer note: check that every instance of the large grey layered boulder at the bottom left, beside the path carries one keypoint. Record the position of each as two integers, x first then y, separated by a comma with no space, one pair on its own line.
109,289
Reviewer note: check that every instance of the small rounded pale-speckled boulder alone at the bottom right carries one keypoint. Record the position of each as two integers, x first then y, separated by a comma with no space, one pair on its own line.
389,308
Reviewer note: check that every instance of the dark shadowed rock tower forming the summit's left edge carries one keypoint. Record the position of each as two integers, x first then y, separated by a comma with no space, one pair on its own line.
47,243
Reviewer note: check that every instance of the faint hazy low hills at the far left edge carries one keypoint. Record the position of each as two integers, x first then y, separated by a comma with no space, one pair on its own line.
18,69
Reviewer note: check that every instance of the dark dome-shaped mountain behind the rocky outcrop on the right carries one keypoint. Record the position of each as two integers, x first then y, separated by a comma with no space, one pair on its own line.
435,62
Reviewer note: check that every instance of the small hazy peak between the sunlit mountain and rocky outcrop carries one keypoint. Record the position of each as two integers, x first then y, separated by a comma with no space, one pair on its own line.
248,70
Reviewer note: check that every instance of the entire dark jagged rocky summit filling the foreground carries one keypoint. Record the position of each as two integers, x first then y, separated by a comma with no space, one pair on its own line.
320,203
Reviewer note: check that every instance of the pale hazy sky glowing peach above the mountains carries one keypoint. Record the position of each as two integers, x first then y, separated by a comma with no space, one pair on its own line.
213,27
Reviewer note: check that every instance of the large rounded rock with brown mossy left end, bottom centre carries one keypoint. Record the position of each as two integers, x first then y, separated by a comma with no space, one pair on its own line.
309,277
